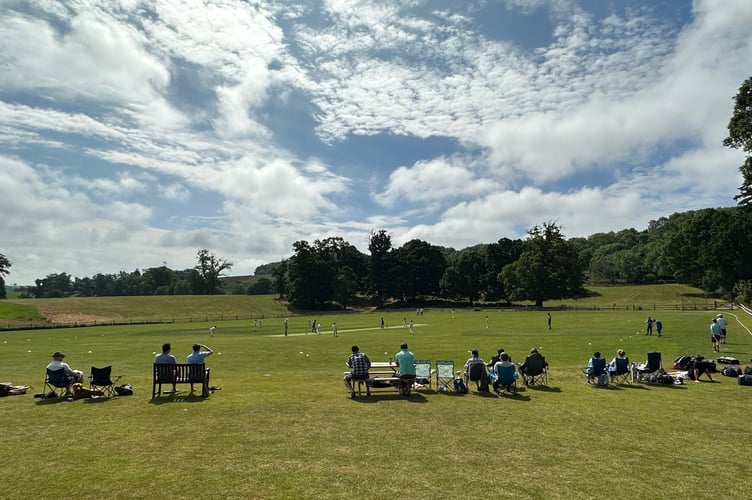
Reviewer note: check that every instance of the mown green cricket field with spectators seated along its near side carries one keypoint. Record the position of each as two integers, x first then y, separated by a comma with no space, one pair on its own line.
283,425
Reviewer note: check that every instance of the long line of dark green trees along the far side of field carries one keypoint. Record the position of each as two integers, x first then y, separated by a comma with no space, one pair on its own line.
705,248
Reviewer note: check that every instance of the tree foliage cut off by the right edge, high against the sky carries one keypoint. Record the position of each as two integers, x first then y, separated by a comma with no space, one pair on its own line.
740,137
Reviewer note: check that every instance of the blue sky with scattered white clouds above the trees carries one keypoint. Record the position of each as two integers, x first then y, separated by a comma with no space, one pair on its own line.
134,133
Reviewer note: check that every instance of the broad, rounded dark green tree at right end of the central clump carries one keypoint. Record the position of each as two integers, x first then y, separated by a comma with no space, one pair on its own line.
548,268
